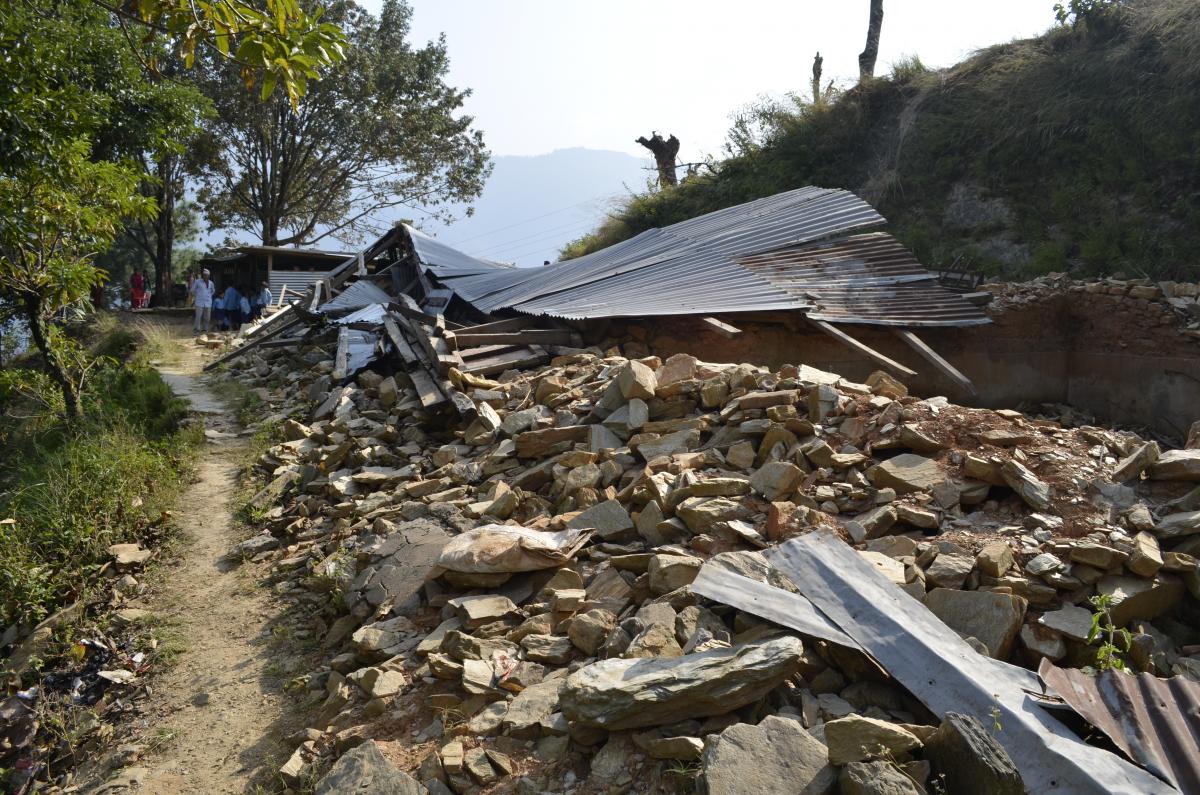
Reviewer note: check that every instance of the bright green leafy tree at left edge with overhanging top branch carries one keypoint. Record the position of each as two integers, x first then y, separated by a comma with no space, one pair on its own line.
76,106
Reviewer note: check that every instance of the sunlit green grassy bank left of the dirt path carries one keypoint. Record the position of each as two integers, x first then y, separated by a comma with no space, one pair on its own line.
68,493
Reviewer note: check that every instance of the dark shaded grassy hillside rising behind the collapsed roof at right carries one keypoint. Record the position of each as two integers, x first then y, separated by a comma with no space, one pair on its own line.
1077,151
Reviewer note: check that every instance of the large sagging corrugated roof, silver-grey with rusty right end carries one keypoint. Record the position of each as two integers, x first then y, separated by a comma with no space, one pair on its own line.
699,267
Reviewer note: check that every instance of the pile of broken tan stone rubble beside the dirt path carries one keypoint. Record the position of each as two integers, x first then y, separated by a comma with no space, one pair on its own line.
507,606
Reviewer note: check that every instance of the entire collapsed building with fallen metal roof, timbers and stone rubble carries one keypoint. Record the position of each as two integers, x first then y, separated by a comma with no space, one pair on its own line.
574,567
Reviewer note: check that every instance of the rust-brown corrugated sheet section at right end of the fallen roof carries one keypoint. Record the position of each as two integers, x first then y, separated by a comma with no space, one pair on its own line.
865,279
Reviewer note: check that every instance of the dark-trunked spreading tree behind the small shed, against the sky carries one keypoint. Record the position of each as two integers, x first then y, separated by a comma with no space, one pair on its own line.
382,130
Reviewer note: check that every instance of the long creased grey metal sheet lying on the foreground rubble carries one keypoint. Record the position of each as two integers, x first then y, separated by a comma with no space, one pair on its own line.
938,667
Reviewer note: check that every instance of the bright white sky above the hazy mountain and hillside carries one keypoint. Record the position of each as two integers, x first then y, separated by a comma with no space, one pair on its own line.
555,74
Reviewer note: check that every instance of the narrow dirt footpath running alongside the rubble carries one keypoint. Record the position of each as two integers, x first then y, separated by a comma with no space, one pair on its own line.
219,712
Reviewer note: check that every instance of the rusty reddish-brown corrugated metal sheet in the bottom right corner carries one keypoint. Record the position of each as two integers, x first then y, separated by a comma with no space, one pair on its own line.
1156,722
